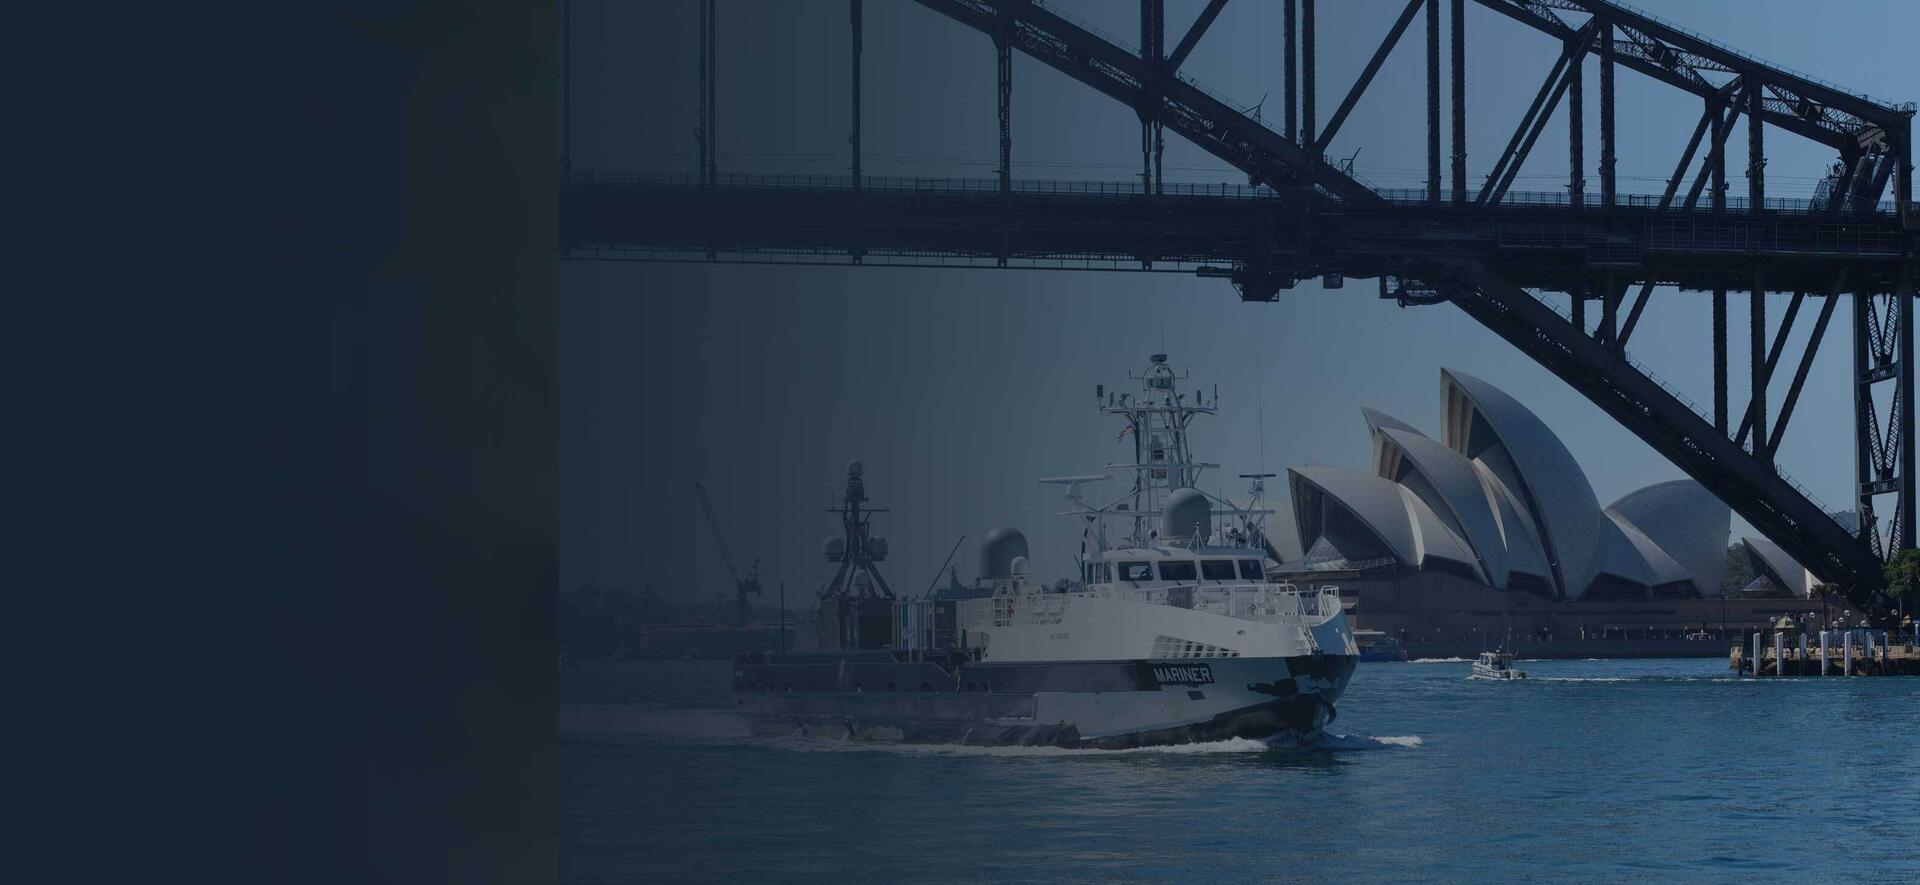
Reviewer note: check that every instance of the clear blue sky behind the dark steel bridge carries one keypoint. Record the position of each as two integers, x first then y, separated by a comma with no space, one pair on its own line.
961,389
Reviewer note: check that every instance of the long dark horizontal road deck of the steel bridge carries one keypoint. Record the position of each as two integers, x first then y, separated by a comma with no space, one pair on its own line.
1533,239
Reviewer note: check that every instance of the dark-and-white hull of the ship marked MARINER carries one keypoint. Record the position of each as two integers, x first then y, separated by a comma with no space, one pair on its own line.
1107,704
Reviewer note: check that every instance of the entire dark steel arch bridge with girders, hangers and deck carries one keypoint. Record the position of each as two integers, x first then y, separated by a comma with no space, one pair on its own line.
1489,251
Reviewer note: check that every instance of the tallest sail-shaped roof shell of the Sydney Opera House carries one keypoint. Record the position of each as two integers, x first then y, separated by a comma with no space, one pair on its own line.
1489,425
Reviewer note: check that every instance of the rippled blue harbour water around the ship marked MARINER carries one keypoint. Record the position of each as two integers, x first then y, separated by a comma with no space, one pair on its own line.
1589,771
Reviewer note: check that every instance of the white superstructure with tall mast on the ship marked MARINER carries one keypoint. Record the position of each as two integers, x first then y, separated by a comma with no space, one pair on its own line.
1166,571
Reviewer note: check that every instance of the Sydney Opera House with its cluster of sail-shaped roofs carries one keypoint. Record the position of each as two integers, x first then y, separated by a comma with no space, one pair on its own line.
1491,529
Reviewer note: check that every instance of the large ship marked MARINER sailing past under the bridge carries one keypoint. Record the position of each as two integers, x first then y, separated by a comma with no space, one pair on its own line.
1170,634
